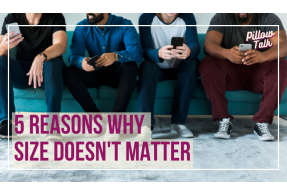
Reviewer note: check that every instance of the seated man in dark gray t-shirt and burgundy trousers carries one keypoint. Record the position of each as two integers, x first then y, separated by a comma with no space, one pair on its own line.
228,69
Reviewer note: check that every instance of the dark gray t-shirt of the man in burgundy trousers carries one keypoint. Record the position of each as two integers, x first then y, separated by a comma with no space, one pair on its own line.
233,36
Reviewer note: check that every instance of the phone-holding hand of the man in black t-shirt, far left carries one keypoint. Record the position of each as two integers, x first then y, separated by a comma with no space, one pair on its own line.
12,42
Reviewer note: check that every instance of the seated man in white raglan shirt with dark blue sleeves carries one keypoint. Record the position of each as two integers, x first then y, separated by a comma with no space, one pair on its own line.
163,62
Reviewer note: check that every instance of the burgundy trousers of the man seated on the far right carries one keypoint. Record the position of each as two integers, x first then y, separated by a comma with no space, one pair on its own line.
220,75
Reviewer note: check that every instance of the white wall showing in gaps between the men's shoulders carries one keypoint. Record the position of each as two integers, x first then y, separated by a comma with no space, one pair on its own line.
201,18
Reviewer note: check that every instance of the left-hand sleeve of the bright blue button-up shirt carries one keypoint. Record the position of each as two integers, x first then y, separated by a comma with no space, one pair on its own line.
77,48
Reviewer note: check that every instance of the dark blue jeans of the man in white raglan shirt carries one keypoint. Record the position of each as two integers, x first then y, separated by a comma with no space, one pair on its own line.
150,73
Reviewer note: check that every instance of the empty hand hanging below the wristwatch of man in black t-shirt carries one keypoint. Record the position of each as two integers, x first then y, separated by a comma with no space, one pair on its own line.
36,71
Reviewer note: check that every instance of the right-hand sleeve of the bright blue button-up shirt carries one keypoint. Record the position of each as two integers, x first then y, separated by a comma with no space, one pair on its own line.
133,51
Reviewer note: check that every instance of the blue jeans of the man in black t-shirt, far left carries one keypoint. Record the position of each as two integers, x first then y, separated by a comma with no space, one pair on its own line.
53,83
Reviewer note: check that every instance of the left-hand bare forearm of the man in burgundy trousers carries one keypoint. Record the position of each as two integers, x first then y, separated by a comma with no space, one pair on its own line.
215,50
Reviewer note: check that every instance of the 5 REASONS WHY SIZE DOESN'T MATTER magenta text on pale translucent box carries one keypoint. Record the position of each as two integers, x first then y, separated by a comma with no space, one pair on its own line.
94,141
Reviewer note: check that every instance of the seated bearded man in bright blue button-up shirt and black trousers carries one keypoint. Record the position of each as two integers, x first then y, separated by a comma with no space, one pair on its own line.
118,48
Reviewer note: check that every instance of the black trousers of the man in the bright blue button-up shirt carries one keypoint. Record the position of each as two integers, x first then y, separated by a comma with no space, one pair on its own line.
122,76
